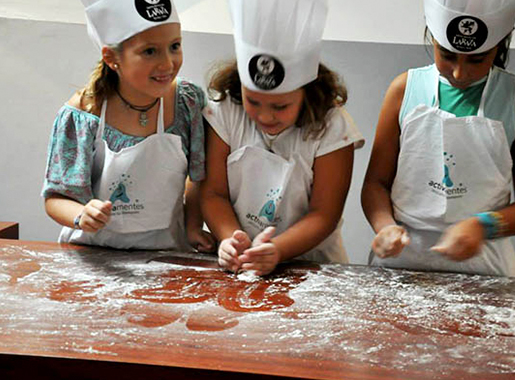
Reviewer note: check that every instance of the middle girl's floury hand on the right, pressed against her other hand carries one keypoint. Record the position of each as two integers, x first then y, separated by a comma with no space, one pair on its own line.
263,257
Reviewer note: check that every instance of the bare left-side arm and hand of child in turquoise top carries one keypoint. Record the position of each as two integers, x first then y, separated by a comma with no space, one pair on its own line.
375,195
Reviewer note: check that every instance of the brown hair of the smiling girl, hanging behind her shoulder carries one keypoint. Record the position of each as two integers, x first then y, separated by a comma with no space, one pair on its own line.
102,83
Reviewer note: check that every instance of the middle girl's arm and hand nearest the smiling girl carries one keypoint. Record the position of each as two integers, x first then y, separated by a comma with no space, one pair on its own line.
216,206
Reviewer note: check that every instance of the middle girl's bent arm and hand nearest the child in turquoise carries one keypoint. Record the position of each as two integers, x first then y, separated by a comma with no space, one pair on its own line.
331,182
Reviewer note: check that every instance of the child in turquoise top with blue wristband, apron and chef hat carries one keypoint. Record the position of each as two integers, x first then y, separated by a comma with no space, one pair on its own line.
437,190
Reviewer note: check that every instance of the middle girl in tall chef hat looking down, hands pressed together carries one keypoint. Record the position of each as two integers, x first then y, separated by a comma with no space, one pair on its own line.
281,146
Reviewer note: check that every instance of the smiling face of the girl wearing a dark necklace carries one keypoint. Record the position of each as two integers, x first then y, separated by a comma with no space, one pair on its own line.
148,63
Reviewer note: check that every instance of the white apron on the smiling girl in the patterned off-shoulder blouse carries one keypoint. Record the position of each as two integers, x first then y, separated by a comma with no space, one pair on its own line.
145,183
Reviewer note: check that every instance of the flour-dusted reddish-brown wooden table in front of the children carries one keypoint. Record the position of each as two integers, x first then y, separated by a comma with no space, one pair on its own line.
83,313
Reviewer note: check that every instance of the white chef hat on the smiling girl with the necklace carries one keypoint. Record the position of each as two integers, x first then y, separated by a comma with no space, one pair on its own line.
111,22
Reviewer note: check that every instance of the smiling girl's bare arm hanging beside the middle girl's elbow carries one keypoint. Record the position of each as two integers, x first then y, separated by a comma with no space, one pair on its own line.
202,240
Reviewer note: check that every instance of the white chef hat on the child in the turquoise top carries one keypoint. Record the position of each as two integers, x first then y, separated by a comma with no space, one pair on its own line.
469,26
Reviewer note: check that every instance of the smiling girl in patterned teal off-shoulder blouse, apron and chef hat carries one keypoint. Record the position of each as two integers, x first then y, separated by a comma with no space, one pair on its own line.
122,148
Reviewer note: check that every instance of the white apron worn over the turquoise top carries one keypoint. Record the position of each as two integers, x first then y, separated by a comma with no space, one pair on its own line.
448,169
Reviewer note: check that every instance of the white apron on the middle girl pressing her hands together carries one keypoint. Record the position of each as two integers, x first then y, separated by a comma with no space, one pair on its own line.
268,190
